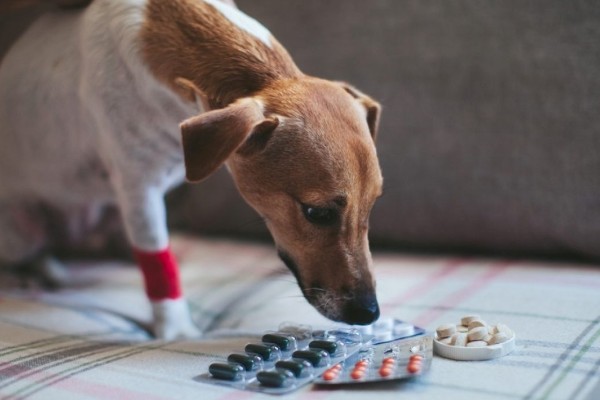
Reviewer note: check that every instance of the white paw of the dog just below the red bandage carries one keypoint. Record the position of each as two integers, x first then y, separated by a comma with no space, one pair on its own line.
172,320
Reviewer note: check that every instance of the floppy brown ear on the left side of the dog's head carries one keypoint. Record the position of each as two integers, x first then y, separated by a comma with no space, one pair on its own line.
210,138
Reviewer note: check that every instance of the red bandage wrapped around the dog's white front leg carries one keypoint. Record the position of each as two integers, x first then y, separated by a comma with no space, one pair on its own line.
161,274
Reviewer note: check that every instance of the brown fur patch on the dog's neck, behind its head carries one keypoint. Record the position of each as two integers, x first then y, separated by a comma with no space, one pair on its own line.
205,48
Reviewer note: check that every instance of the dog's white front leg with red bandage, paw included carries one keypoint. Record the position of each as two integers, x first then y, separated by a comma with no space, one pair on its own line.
144,216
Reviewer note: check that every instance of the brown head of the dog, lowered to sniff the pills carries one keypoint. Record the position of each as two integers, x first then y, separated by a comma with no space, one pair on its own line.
302,154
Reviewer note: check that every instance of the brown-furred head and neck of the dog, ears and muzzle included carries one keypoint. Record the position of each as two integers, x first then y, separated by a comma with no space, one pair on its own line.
290,141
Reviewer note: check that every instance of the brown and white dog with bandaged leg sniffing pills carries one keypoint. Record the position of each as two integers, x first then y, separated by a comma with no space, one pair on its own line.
120,101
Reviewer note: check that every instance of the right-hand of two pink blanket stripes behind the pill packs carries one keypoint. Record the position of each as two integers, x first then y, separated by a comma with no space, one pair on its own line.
457,297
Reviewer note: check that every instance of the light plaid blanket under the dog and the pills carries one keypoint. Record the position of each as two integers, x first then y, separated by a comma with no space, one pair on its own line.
90,340
